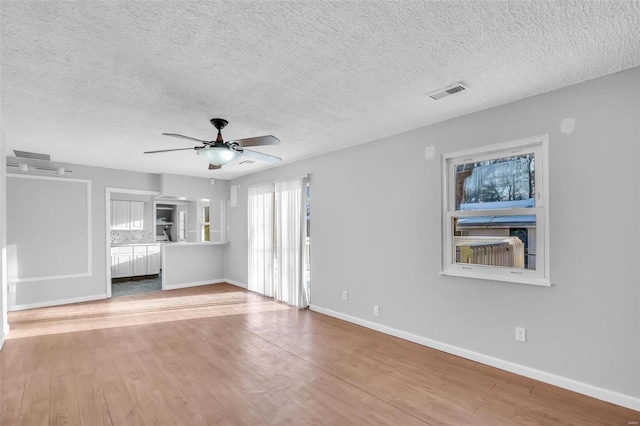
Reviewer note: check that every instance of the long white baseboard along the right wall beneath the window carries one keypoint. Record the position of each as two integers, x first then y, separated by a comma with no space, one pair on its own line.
543,376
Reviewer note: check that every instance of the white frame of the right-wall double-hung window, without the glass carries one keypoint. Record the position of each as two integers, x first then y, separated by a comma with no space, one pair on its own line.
540,276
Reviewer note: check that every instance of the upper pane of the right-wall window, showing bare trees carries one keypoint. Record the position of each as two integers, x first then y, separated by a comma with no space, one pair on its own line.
494,184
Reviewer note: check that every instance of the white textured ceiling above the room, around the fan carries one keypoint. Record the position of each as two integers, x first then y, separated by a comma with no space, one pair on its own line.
97,82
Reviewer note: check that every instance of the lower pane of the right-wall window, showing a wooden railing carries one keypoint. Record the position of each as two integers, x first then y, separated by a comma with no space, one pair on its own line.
508,241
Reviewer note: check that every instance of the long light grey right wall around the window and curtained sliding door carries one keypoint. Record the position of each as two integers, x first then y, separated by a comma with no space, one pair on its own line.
376,232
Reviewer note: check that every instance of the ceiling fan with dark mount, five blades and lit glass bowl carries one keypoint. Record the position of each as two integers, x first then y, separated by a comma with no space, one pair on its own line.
218,152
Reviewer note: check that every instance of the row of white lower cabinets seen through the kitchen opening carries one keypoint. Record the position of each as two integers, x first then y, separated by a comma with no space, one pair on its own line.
133,261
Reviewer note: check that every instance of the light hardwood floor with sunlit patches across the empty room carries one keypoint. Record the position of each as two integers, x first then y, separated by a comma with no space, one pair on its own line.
220,355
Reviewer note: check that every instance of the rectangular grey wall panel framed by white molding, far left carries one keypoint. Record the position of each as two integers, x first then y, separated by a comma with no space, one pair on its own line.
48,234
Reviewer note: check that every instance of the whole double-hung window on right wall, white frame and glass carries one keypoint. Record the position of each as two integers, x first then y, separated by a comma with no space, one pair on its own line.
495,202
